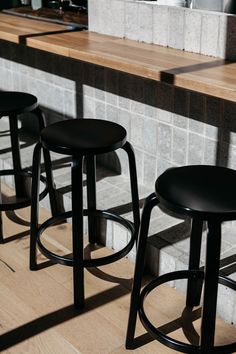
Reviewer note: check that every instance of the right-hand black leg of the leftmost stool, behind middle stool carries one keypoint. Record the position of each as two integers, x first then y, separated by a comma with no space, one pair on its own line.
48,167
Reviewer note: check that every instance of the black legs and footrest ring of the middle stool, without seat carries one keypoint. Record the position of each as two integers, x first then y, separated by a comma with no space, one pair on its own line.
78,262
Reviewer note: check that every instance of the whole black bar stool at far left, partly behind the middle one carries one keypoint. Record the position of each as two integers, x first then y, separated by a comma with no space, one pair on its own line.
12,104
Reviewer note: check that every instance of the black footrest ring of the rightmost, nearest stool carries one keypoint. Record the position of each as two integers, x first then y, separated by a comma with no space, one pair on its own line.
163,338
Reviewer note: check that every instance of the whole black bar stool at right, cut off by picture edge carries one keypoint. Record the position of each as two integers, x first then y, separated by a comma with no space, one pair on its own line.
205,193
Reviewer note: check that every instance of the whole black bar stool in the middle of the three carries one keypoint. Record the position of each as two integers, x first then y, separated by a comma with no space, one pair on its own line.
82,139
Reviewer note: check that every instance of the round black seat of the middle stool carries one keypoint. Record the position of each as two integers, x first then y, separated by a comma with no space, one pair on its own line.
83,136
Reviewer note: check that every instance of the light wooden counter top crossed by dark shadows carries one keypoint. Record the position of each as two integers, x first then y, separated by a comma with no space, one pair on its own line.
208,75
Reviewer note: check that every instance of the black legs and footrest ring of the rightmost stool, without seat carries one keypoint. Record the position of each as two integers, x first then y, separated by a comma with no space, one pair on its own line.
194,286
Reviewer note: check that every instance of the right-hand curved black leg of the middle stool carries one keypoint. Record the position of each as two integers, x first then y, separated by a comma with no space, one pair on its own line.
134,185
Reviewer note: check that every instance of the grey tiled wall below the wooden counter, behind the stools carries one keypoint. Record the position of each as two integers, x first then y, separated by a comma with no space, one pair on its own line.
167,126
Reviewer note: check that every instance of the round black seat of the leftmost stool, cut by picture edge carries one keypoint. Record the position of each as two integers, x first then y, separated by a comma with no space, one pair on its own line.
12,102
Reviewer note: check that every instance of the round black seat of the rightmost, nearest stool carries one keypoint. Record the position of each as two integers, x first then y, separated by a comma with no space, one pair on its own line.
202,190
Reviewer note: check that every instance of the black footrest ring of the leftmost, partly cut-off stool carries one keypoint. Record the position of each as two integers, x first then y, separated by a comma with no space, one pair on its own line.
22,202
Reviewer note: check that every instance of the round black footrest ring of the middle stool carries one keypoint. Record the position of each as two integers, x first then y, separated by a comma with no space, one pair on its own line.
87,262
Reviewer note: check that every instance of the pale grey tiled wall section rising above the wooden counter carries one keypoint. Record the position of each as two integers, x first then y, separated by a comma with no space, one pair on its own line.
198,31
